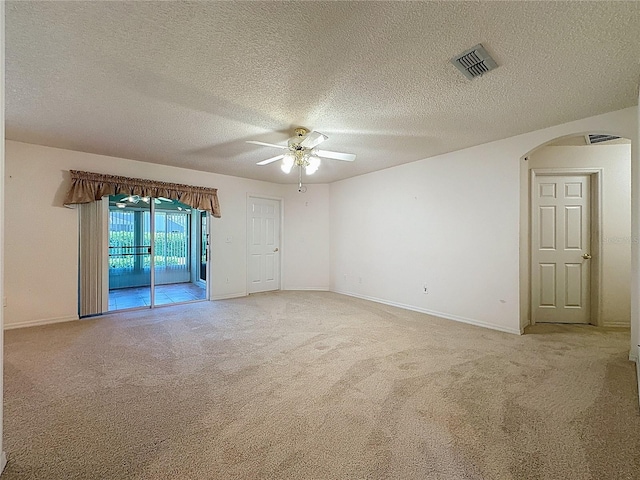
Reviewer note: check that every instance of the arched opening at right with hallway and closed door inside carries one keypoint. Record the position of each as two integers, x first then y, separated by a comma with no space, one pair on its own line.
606,160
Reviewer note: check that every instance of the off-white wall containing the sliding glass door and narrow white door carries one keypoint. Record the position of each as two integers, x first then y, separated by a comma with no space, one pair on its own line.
42,235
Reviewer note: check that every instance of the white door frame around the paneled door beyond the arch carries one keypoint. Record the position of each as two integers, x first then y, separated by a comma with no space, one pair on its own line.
595,290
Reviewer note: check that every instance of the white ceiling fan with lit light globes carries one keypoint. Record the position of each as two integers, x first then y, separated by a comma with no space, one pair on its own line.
301,151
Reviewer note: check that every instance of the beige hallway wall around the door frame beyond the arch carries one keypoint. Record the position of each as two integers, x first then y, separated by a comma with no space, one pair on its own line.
615,161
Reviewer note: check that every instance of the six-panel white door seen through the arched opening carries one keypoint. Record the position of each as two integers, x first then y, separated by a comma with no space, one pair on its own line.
561,242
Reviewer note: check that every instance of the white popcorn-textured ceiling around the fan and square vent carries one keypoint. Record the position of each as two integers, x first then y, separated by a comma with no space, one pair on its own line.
187,84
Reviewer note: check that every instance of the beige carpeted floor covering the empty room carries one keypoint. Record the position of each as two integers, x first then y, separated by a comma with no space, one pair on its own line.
314,385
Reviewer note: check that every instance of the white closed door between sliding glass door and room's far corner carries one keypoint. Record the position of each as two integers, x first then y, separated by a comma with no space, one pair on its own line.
264,244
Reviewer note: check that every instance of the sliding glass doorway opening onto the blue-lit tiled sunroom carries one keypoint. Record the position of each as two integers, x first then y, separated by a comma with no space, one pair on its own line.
157,252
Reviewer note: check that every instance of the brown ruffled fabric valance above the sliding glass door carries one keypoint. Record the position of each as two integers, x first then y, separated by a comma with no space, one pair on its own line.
88,187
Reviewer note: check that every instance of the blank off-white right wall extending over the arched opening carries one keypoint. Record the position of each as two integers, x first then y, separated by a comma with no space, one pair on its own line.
457,223
